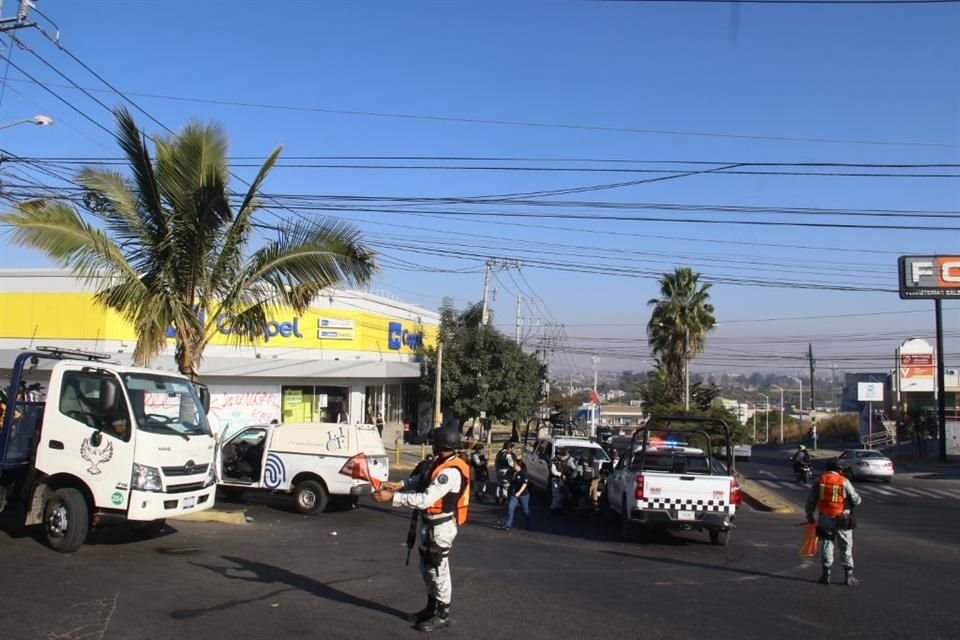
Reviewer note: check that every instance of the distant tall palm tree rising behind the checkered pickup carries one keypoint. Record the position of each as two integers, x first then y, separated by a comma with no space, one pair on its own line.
678,326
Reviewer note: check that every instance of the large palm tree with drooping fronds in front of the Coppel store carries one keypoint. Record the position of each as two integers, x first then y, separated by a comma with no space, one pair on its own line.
166,249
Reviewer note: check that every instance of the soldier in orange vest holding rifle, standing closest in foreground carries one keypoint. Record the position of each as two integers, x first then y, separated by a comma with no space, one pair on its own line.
442,494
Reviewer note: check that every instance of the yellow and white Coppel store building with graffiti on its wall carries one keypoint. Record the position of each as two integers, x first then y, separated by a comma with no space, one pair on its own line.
352,355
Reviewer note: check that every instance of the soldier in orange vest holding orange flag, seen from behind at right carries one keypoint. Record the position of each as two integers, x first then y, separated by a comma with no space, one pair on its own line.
833,496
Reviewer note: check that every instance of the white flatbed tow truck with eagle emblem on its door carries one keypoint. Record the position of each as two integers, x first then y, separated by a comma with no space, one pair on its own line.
108,444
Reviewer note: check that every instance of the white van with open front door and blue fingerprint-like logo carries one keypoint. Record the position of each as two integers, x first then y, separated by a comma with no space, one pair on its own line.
301,459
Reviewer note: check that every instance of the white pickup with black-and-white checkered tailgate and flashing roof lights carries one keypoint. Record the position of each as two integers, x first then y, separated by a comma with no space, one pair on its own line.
662,483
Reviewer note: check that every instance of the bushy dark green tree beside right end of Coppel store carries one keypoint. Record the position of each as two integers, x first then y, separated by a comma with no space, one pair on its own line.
482,369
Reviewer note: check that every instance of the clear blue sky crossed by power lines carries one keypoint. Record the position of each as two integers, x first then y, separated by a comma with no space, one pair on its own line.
768,79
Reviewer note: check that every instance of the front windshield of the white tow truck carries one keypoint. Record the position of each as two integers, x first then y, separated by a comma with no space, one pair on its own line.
166,405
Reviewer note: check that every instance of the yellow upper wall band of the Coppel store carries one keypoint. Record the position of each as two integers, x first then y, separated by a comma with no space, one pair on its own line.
73,316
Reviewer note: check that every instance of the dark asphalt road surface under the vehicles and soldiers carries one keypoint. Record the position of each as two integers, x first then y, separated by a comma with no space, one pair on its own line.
341,575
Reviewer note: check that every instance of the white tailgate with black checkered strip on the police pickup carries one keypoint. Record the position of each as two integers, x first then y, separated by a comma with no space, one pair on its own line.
685,494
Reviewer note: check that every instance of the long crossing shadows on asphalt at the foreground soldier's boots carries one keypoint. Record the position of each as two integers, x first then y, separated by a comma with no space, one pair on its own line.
270,574
